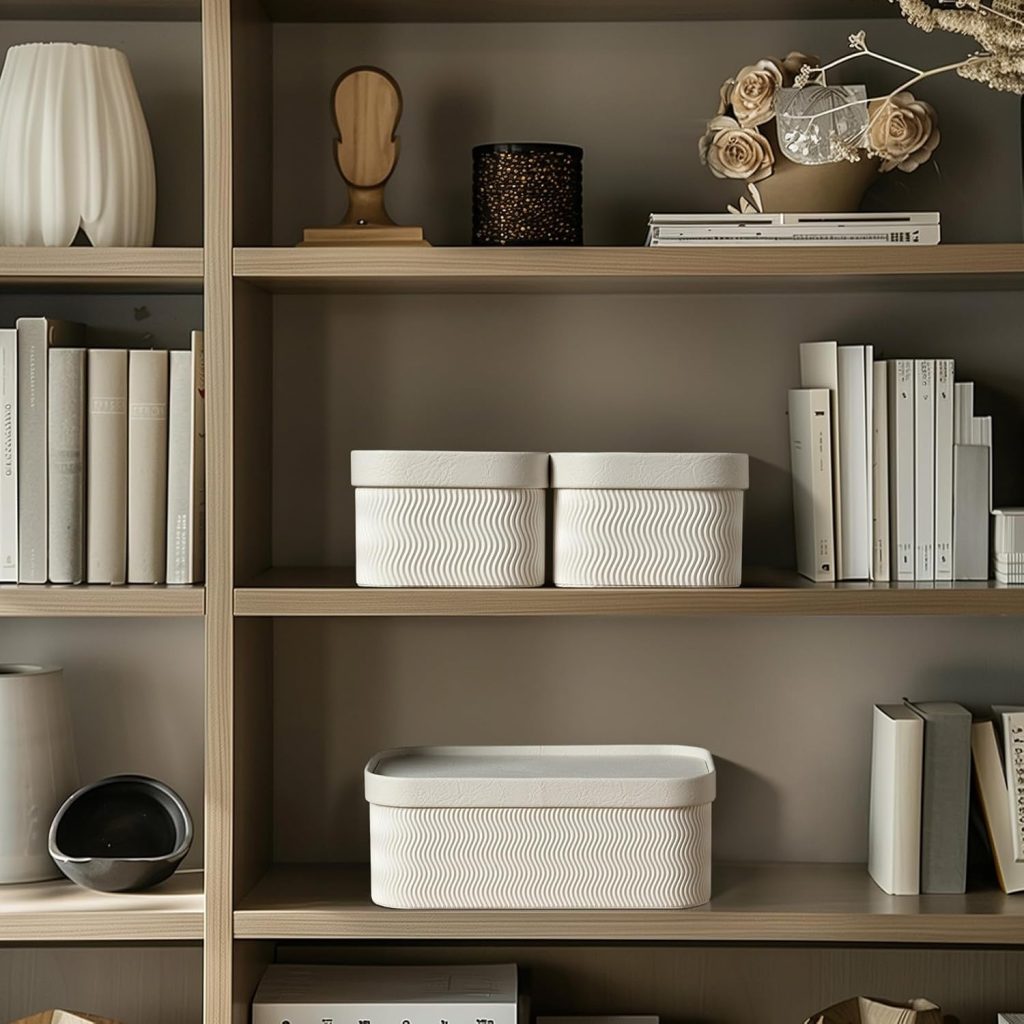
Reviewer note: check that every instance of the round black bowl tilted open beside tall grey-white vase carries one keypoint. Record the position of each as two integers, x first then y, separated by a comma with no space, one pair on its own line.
121,834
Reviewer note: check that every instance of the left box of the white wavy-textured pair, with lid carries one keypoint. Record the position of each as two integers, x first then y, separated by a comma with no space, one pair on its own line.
450,519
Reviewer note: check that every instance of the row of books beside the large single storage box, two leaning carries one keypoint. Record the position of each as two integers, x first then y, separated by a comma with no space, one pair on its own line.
921,796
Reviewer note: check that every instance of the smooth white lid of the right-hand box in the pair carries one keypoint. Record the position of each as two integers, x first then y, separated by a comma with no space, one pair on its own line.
650,472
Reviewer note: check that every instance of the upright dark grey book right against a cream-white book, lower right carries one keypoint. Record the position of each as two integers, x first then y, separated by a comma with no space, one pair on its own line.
946,797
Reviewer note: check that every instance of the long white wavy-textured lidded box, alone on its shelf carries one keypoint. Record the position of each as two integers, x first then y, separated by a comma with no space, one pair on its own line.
556,828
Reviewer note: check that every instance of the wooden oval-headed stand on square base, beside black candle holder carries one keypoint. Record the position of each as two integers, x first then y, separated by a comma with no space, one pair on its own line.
367,105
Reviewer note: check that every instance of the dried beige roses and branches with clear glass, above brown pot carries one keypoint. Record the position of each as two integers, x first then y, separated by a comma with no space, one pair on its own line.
747,142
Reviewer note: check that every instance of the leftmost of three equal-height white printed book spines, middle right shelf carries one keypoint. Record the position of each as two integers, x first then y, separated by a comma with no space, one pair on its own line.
902,483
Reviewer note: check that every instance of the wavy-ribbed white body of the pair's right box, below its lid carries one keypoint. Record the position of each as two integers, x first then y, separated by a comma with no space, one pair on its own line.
648,538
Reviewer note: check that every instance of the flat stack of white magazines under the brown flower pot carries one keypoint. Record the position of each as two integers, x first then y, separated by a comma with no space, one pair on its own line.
793,230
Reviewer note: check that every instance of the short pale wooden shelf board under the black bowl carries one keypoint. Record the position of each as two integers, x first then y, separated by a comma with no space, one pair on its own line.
62,912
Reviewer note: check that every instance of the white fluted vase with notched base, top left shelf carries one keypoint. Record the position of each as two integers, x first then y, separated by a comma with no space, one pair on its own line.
75,151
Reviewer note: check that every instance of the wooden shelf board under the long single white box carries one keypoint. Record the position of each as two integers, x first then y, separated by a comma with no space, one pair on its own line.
751,904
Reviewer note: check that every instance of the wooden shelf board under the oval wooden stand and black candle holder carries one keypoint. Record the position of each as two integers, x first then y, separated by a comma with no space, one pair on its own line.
631,269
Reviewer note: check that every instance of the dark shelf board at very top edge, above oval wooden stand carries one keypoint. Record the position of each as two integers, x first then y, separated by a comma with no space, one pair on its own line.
569,11
